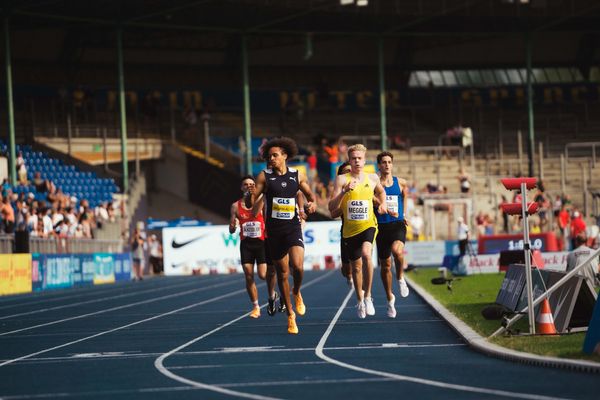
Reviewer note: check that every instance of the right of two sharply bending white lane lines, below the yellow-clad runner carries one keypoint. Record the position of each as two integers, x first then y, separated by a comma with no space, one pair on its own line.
319,352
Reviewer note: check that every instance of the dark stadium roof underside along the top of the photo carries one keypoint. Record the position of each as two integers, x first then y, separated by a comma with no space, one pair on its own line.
330,17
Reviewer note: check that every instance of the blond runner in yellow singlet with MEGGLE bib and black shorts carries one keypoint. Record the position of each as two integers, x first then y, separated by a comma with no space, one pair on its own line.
353,198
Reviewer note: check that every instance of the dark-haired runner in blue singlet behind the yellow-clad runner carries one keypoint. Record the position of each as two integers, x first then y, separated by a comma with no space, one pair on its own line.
392,230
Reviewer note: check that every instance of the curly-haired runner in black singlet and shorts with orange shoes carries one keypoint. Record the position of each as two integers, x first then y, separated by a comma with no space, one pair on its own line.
280,184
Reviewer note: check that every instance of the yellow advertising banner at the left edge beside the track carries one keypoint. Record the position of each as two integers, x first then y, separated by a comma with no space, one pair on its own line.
15,273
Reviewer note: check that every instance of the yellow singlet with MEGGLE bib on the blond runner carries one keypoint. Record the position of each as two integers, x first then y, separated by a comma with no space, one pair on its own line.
357,208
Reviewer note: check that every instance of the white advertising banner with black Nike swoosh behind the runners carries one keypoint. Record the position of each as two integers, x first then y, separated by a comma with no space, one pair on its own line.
212,249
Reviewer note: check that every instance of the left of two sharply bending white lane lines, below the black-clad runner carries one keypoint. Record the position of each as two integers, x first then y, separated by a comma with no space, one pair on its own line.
159,362
